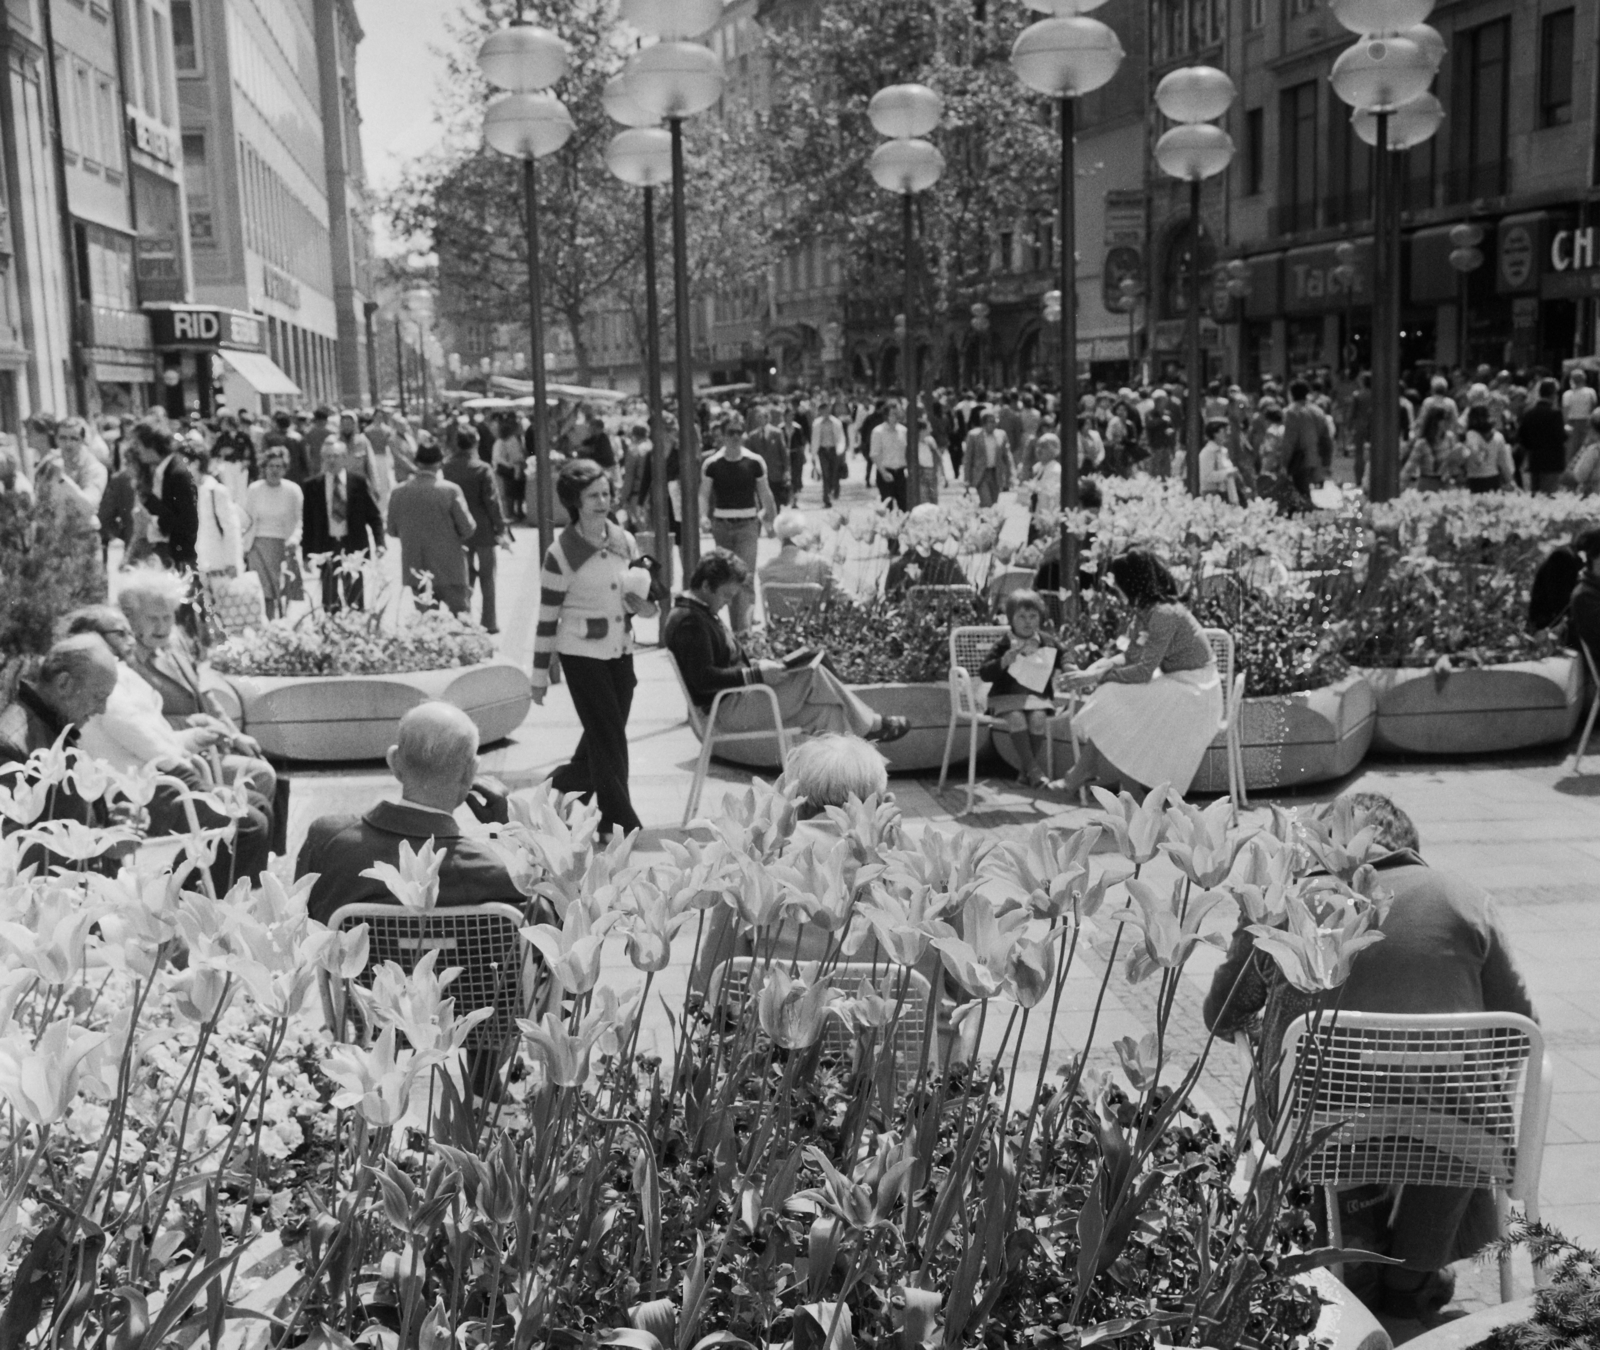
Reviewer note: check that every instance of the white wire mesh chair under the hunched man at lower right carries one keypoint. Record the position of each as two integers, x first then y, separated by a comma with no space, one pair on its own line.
1458,1100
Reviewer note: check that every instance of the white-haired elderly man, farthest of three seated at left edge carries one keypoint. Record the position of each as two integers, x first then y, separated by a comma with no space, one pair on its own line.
150,599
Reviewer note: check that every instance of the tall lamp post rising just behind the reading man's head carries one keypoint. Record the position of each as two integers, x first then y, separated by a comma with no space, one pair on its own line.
671,81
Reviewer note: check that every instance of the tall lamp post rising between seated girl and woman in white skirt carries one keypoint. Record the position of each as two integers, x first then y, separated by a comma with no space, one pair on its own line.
1068,57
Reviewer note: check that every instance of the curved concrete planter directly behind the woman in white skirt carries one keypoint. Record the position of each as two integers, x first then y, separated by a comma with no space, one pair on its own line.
1289,740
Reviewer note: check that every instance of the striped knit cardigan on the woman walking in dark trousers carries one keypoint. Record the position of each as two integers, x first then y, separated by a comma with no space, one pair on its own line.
582,609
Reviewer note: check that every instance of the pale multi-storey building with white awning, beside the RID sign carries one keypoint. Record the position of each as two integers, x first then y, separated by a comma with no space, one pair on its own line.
276,201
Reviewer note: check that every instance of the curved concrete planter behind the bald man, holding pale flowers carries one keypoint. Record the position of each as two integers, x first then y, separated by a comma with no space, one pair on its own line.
354,717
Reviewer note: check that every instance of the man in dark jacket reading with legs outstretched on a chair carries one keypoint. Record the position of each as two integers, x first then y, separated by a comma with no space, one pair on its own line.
812,698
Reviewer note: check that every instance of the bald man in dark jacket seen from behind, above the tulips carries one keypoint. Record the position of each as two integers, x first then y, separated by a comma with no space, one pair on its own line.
436,761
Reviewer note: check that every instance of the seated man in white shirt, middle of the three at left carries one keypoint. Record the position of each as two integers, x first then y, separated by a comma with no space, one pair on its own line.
130,733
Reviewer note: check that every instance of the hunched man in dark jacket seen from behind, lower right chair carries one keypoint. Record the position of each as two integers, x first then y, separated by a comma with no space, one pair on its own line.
1442,953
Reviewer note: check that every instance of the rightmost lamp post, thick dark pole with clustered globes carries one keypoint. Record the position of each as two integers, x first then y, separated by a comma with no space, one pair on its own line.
1386,78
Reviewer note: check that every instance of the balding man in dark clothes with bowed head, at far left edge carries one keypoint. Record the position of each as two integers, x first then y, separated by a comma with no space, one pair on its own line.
71,687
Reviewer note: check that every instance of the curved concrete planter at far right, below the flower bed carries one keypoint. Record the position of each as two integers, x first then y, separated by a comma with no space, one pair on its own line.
1478,711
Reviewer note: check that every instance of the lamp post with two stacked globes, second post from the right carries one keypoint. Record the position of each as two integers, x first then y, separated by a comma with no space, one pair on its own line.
1193,153
